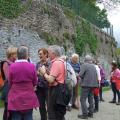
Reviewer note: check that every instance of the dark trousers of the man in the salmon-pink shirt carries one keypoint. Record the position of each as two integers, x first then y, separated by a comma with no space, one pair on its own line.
55,111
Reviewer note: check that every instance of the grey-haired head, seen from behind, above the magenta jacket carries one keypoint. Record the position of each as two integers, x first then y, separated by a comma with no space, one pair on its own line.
23,52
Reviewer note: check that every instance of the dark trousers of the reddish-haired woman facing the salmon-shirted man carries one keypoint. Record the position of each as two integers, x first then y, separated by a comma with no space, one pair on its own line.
42,94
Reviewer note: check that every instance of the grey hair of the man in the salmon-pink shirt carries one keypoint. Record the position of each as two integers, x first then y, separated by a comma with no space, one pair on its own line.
56,50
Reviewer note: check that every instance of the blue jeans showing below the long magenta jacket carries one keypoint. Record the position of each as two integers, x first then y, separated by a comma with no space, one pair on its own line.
16,115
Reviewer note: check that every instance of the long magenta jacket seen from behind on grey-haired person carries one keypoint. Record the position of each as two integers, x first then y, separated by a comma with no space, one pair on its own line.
22,79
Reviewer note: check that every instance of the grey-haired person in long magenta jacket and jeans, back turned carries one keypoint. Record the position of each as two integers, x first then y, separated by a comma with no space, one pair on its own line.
22,79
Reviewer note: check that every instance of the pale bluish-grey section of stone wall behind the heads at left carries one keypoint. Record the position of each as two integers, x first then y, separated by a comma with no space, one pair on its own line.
18,36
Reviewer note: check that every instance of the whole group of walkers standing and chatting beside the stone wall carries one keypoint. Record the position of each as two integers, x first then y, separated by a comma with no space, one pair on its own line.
29,86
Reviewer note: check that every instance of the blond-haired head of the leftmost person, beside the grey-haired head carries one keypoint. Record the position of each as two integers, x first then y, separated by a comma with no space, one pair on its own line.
11,53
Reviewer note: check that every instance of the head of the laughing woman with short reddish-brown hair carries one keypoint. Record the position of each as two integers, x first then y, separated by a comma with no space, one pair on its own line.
43,54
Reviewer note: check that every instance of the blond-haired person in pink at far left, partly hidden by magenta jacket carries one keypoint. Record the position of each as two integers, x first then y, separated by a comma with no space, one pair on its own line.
11,54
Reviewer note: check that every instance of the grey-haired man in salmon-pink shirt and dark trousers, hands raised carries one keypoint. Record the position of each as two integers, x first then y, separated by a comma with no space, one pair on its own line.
56,80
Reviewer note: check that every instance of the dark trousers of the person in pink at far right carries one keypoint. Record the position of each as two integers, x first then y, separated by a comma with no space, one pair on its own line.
115,92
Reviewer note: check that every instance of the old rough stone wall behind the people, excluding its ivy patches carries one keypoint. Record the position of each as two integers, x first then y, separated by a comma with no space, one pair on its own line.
28,28
